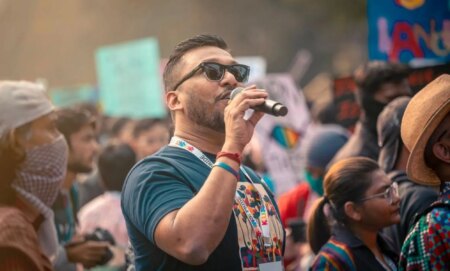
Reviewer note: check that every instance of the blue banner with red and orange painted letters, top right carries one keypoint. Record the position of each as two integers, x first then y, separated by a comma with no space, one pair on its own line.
409,31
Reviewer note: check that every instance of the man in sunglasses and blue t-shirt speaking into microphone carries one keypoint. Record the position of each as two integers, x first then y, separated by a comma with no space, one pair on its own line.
192,205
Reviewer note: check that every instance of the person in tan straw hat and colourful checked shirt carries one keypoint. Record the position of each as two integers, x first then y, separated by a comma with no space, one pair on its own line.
425,131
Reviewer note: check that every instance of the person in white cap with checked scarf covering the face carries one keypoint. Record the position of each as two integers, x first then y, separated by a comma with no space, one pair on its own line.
33,157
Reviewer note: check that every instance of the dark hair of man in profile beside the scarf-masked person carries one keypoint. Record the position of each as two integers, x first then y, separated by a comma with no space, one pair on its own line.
71,120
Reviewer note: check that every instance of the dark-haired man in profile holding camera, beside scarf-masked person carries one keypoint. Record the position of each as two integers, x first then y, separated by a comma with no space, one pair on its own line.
78,127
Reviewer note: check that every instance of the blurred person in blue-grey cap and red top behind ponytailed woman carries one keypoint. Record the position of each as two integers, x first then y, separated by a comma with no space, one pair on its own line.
295,205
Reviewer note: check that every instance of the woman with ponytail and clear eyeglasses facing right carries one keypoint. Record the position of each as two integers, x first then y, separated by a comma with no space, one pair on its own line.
344,228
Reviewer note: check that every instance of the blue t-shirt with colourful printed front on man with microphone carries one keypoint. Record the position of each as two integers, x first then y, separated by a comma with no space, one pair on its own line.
167,180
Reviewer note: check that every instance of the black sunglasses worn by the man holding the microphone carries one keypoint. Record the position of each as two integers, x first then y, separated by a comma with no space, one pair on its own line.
215,72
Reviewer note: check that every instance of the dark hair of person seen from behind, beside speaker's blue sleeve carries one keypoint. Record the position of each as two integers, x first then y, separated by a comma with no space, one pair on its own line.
114,163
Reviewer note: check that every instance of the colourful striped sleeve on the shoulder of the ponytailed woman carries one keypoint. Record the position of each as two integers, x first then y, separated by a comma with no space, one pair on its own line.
334,255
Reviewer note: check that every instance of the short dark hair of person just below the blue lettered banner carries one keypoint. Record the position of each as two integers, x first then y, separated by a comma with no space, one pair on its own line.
372,75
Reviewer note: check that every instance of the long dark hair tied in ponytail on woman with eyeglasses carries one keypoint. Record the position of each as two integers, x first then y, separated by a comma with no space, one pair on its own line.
347,180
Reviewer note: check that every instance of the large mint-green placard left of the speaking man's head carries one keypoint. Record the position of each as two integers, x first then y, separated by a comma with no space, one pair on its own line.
130,79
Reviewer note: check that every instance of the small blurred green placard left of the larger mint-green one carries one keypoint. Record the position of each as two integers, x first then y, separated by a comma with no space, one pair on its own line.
68,96
